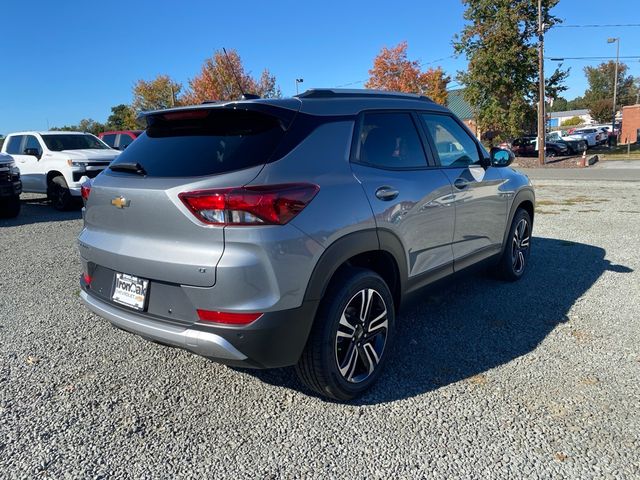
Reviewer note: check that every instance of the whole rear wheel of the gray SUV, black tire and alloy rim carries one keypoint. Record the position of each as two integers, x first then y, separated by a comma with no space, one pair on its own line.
345,354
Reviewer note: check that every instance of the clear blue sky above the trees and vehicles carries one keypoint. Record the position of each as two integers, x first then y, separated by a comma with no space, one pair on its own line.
63,61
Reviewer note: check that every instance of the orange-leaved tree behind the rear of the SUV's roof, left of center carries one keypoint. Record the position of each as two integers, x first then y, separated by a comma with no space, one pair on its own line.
224,78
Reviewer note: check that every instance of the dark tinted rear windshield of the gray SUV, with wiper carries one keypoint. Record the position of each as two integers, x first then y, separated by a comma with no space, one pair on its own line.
204,142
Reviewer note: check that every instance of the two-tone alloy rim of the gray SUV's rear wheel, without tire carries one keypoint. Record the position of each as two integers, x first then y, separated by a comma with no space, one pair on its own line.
361,336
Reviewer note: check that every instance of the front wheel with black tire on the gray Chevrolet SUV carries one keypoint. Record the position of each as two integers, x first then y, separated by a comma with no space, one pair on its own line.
515,257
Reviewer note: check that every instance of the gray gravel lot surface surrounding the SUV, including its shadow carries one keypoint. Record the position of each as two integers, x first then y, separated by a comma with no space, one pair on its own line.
536,379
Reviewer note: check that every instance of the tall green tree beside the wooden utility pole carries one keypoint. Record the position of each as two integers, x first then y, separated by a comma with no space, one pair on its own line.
500,43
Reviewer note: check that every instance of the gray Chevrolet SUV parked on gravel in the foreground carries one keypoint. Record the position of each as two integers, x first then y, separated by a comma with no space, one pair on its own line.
268,233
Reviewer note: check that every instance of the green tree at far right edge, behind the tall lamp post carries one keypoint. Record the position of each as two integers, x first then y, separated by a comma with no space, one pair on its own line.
601,84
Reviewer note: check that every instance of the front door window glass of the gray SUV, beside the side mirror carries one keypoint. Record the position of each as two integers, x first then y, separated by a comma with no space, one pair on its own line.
455,146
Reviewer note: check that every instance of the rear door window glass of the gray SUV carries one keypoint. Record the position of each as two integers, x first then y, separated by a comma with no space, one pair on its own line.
390,140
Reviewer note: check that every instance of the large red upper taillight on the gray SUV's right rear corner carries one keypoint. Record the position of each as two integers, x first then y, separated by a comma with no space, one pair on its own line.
259,205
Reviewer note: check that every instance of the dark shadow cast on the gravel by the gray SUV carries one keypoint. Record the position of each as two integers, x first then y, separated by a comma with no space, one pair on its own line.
474,323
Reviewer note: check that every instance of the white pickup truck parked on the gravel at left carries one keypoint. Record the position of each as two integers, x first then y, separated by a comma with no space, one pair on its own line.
57,163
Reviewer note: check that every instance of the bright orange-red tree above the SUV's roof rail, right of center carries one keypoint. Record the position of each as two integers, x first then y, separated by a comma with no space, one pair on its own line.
392,70
